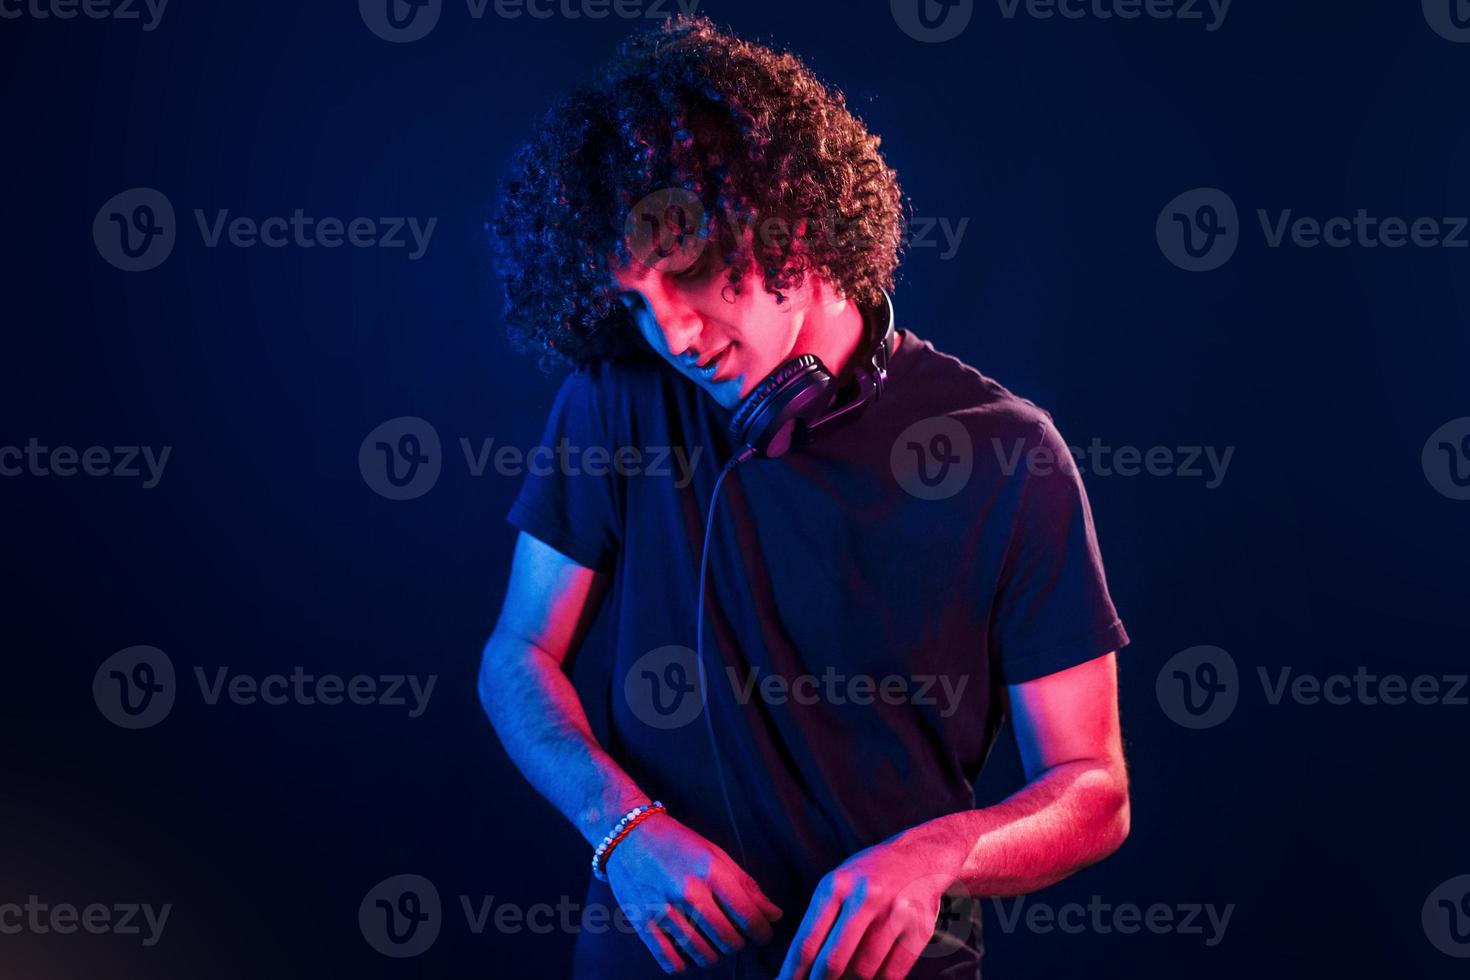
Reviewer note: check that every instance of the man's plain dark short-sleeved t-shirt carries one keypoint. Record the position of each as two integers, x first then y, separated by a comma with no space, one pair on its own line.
870,597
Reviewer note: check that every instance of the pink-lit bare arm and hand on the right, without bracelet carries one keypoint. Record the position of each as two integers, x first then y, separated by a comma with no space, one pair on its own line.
874,915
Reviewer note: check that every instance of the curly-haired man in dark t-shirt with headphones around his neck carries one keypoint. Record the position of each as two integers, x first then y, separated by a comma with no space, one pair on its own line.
880,597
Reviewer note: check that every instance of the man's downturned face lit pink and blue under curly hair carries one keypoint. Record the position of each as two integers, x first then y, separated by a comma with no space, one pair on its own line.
725,343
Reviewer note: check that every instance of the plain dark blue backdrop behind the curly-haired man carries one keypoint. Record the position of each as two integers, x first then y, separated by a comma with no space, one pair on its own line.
264,549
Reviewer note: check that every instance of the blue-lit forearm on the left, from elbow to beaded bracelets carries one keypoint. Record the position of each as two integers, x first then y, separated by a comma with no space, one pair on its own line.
540,721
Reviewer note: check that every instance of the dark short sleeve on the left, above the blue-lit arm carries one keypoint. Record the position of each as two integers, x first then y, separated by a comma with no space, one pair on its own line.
567,502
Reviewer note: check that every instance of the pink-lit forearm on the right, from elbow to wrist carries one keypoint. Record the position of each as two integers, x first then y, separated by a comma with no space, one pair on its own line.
1072,816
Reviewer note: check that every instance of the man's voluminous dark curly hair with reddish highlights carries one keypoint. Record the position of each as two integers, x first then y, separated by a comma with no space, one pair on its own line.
749,133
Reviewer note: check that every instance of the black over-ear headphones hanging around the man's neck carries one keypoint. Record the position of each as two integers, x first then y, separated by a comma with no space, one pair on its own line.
797,399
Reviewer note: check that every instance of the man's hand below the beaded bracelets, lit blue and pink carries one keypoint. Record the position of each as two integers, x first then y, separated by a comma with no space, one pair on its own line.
683,893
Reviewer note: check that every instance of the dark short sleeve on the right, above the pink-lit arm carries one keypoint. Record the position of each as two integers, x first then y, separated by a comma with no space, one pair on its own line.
1053,609
